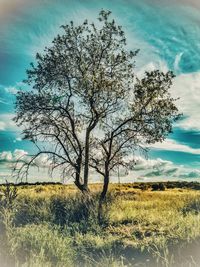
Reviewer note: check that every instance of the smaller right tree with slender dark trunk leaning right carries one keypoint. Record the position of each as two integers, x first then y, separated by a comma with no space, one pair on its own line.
146,117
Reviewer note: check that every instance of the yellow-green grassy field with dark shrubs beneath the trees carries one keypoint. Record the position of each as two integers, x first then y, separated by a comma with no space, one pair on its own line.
144,225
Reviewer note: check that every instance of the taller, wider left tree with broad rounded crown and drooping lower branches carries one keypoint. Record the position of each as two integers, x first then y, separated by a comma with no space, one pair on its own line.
76,84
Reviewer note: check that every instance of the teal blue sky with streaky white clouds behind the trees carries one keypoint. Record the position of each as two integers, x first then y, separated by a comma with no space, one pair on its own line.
167,32
